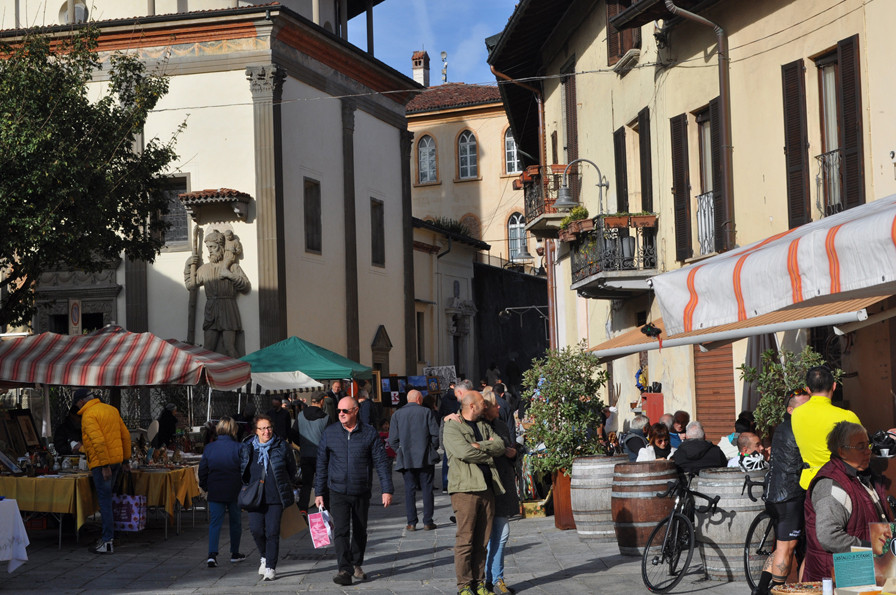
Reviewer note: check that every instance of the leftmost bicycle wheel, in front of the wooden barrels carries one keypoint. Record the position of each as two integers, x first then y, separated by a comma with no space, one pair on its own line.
668,554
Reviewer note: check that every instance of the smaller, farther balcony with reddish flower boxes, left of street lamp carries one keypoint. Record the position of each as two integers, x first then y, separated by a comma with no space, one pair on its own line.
540,193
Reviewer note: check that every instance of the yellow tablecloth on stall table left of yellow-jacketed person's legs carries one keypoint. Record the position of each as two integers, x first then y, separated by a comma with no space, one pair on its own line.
72,494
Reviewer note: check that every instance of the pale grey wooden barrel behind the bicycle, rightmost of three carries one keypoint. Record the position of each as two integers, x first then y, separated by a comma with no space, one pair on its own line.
721,536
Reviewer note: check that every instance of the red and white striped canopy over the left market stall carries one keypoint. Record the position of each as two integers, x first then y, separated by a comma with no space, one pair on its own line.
114,357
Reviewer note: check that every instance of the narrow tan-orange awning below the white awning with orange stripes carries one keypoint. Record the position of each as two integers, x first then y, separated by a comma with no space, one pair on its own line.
800,316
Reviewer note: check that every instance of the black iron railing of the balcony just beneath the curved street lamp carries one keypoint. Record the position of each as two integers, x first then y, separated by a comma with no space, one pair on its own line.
606,249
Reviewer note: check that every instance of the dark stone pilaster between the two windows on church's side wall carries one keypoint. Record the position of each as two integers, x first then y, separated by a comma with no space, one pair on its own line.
352,323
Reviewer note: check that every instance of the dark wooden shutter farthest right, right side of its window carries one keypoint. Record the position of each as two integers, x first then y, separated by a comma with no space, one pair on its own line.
850,106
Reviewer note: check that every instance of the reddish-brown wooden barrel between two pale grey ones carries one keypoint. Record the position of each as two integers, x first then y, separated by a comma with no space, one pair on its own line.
634,502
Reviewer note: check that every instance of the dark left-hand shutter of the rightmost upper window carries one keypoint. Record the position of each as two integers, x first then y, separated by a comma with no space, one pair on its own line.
796,143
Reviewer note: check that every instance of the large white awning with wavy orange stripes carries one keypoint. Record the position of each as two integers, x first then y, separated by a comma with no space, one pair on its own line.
845,256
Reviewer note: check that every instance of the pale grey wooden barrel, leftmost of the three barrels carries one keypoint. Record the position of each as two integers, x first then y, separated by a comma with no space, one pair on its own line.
590,495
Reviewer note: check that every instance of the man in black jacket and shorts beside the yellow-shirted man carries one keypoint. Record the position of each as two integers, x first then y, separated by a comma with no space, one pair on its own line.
784,498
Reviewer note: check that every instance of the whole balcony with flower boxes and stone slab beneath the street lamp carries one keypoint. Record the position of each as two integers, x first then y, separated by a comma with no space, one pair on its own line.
615,259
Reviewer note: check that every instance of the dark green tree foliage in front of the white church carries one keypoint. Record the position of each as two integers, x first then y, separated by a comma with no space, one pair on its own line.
76,190
